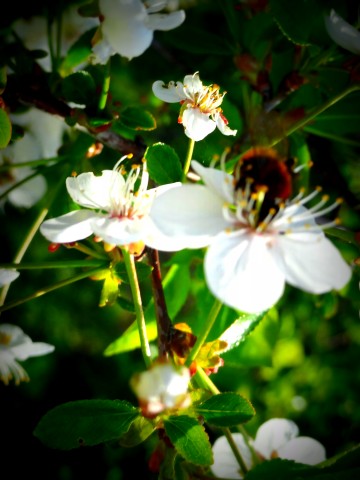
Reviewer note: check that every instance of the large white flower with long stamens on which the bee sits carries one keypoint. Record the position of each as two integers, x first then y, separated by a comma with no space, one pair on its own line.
250,259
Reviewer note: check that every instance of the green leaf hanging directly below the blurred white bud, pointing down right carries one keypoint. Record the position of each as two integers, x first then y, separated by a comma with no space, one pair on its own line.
189,439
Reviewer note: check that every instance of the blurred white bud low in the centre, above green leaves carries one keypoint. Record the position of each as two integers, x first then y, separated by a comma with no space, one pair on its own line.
164,386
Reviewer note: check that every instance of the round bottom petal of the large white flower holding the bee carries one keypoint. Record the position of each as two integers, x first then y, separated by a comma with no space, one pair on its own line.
241,272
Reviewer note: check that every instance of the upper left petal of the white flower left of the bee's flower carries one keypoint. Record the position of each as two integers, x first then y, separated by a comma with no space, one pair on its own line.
92,191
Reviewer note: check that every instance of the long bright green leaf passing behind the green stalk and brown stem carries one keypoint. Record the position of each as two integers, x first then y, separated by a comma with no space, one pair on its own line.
176,286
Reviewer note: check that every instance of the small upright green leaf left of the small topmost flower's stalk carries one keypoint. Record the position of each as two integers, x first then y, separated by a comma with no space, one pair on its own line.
163,164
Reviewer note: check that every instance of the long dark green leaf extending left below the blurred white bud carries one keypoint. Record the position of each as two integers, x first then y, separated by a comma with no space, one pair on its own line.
85,423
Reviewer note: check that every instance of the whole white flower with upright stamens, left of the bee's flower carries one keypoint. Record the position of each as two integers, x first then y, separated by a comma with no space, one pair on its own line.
114,211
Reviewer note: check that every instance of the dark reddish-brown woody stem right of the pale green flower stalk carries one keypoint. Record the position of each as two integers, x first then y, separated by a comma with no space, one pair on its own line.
164,324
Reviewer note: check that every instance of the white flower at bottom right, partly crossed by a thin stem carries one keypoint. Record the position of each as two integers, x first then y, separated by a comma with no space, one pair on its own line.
276,438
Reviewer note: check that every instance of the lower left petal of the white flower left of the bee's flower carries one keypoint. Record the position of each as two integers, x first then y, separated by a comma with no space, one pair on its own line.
68,228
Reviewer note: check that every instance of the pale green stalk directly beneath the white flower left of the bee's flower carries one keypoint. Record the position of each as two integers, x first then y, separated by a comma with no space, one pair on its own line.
135,290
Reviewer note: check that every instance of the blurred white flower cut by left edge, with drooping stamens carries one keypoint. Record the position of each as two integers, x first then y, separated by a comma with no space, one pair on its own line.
15,345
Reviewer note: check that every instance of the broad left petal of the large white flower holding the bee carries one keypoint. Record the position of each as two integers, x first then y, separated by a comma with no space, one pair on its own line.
190,213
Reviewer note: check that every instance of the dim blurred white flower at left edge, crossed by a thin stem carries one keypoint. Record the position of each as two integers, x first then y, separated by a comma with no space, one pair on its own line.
42,138
